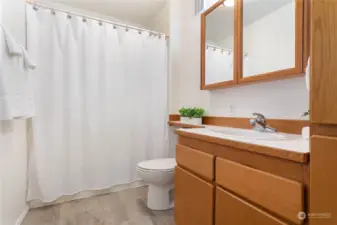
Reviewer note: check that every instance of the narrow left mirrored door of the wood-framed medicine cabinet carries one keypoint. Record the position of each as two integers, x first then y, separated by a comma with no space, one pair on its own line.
218,44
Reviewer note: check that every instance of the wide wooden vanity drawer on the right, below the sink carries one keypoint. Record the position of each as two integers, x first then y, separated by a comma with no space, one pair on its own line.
276,194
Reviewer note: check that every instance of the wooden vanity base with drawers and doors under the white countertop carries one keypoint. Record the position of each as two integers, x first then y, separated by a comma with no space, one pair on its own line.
214,187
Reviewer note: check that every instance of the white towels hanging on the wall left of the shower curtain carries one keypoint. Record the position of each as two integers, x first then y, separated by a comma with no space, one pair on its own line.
16,95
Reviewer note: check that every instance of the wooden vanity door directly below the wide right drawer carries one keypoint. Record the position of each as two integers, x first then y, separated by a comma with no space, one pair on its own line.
231,210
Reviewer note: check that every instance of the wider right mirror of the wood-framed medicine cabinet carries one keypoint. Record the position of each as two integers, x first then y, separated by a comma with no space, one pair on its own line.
269,37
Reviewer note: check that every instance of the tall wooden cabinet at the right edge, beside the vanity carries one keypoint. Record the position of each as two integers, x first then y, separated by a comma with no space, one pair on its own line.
323,118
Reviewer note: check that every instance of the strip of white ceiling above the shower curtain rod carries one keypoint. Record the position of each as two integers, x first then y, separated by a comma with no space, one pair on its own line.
135,11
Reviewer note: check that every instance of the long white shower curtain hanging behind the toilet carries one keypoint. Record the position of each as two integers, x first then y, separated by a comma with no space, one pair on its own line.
101,103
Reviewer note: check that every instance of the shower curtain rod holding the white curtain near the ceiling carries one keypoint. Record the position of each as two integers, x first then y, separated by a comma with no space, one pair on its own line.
38,5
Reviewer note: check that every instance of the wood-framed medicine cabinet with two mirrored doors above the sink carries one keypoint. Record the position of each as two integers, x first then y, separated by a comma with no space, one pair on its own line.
247,41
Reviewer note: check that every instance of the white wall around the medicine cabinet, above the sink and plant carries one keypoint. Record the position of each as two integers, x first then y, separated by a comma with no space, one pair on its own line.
278,99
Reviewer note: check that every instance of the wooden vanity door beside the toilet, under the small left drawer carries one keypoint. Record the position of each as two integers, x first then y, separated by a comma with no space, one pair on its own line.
193,199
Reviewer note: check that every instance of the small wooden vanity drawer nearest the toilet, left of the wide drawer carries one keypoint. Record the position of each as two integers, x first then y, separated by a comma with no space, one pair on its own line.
196,161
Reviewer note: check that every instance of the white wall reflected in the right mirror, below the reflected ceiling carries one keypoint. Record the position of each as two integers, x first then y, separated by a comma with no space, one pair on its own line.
270,41
